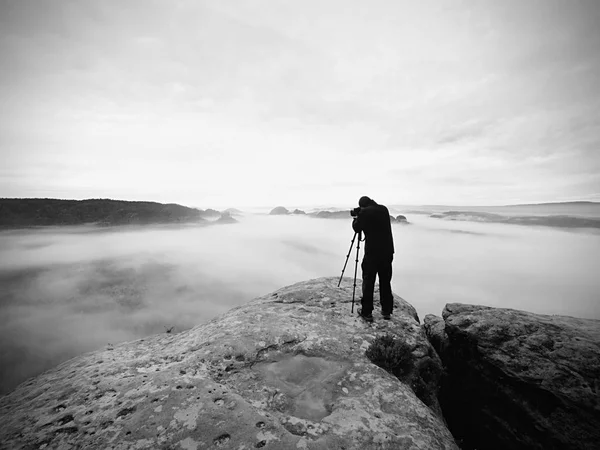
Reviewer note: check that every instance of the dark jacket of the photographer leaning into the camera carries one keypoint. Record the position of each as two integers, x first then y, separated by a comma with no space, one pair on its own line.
374,222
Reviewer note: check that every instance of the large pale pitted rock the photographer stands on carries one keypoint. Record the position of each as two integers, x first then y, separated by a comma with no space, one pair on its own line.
284,371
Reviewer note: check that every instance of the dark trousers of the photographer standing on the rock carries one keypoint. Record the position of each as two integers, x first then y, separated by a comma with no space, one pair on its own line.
373,266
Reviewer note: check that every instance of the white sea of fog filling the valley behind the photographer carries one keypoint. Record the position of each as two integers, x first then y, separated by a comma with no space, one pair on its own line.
65,291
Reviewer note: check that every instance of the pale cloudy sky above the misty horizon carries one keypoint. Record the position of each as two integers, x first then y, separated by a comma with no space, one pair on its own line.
239,103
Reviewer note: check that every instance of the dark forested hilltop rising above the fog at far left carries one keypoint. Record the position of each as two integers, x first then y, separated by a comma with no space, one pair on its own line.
30,212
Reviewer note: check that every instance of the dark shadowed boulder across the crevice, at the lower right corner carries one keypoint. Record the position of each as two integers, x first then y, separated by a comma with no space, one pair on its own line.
520,380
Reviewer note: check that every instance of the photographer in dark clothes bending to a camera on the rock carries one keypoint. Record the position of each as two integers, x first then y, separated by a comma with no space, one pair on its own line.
374,221
